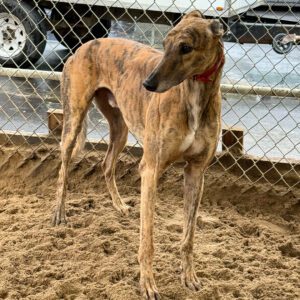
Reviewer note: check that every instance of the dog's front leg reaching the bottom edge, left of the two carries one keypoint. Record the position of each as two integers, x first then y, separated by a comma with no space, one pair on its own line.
149,179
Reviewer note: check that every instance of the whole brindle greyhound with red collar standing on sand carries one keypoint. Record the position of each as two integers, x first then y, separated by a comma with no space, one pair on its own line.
181,120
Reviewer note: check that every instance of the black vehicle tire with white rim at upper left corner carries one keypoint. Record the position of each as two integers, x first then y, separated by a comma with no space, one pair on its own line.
22,34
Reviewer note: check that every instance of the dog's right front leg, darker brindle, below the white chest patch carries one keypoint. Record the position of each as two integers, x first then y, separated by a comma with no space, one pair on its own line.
193,188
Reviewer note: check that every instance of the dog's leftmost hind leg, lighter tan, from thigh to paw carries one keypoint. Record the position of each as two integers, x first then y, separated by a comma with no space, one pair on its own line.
75,110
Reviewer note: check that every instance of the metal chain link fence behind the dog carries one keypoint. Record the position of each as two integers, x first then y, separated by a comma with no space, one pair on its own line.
261,107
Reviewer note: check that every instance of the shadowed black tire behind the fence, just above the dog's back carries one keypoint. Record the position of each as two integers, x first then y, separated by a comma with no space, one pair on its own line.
77,32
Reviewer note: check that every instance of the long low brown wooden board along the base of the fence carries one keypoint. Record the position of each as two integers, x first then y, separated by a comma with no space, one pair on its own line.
278,171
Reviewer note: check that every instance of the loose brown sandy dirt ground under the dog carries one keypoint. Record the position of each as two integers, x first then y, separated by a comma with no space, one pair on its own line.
247,243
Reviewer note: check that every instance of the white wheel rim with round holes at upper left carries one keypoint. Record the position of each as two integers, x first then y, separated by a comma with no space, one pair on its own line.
12,36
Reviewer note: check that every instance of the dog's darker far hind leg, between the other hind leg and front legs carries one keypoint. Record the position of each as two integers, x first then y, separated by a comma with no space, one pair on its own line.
118,137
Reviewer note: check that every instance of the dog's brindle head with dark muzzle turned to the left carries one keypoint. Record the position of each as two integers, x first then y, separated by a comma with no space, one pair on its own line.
191,47
